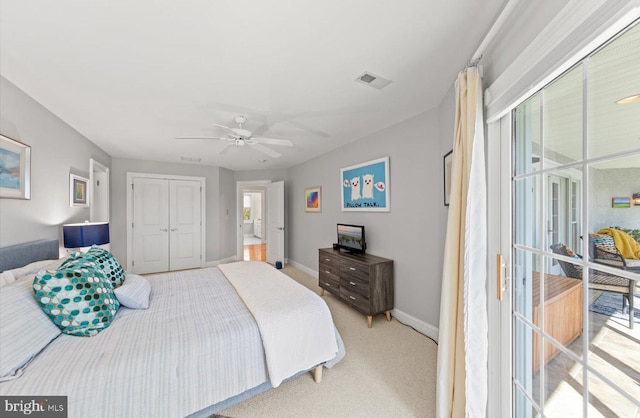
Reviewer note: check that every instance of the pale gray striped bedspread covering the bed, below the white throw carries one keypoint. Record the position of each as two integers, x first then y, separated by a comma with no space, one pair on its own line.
195,346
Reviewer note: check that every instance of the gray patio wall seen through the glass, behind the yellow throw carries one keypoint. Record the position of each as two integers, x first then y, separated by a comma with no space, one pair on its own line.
609,183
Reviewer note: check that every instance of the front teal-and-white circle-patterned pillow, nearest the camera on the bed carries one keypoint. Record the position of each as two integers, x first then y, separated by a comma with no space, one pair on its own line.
79,300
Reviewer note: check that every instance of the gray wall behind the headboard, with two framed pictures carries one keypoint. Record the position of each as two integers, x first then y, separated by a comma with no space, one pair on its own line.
56,151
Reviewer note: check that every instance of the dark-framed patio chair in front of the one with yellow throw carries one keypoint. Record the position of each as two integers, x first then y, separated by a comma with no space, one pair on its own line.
599,280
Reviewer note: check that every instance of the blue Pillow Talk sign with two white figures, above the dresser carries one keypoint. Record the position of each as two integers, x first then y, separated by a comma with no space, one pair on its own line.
365,186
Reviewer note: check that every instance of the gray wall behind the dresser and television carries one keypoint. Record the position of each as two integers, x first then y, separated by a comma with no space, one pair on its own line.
410,233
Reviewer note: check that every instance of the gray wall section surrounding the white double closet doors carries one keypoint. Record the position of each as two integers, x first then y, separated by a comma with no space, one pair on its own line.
220,197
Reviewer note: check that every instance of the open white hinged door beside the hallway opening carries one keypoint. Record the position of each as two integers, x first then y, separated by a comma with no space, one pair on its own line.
275,222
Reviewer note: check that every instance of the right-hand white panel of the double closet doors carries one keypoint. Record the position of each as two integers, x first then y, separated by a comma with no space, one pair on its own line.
184,224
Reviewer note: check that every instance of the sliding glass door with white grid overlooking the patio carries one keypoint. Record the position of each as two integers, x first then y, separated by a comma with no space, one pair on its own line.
575,166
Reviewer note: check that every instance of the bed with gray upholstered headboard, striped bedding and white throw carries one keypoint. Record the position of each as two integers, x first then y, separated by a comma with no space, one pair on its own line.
198,348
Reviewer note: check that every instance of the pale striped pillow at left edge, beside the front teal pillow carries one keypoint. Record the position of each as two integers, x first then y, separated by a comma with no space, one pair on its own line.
26,329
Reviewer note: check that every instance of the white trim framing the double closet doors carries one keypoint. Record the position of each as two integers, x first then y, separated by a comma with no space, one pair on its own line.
203,185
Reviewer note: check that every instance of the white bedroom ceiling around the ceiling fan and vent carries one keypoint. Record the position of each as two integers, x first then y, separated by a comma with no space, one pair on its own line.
133,75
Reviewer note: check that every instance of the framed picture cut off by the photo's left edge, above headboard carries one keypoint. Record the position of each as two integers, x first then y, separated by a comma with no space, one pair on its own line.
15,169
